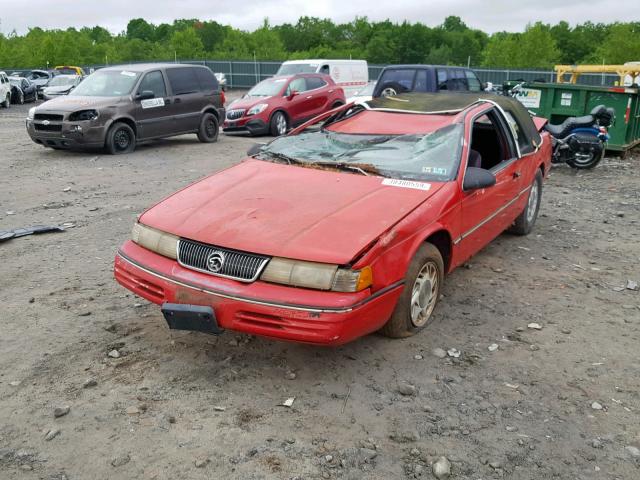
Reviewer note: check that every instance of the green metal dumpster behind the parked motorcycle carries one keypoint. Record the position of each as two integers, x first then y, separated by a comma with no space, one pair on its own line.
557,101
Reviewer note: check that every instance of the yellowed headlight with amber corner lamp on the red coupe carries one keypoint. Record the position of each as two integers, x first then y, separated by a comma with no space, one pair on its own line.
320,276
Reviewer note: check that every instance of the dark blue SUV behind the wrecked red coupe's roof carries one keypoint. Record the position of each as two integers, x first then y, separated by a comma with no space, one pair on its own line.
396,79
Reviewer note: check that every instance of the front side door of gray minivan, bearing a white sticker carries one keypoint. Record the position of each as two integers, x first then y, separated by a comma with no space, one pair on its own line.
154,116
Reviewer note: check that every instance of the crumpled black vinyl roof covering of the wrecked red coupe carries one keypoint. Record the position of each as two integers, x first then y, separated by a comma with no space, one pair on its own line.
451,103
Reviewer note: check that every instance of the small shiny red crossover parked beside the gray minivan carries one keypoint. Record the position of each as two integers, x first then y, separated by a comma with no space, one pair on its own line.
279,103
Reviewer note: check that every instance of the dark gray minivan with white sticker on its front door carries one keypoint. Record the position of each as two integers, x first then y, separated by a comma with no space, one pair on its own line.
119,107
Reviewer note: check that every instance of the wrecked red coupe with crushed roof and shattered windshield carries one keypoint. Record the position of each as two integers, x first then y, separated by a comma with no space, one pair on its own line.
326,235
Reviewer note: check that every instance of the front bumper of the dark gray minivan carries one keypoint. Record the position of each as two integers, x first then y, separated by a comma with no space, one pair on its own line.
66,134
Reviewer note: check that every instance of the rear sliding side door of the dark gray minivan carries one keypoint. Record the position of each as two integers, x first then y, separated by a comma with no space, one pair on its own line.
186,98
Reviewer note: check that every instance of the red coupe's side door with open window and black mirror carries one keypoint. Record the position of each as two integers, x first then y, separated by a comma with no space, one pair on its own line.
487,212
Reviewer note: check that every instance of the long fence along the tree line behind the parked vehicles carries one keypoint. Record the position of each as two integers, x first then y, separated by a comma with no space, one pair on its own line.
245,74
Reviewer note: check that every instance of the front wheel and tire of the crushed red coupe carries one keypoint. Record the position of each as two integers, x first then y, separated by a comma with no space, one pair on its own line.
413,311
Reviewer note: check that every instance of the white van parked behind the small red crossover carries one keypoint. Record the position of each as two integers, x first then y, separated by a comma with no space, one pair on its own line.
351,75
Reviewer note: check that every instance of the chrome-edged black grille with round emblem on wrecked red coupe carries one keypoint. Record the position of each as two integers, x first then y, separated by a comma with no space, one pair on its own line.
223,262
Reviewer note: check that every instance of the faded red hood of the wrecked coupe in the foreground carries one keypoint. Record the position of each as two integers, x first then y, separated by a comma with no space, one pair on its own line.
287,211
